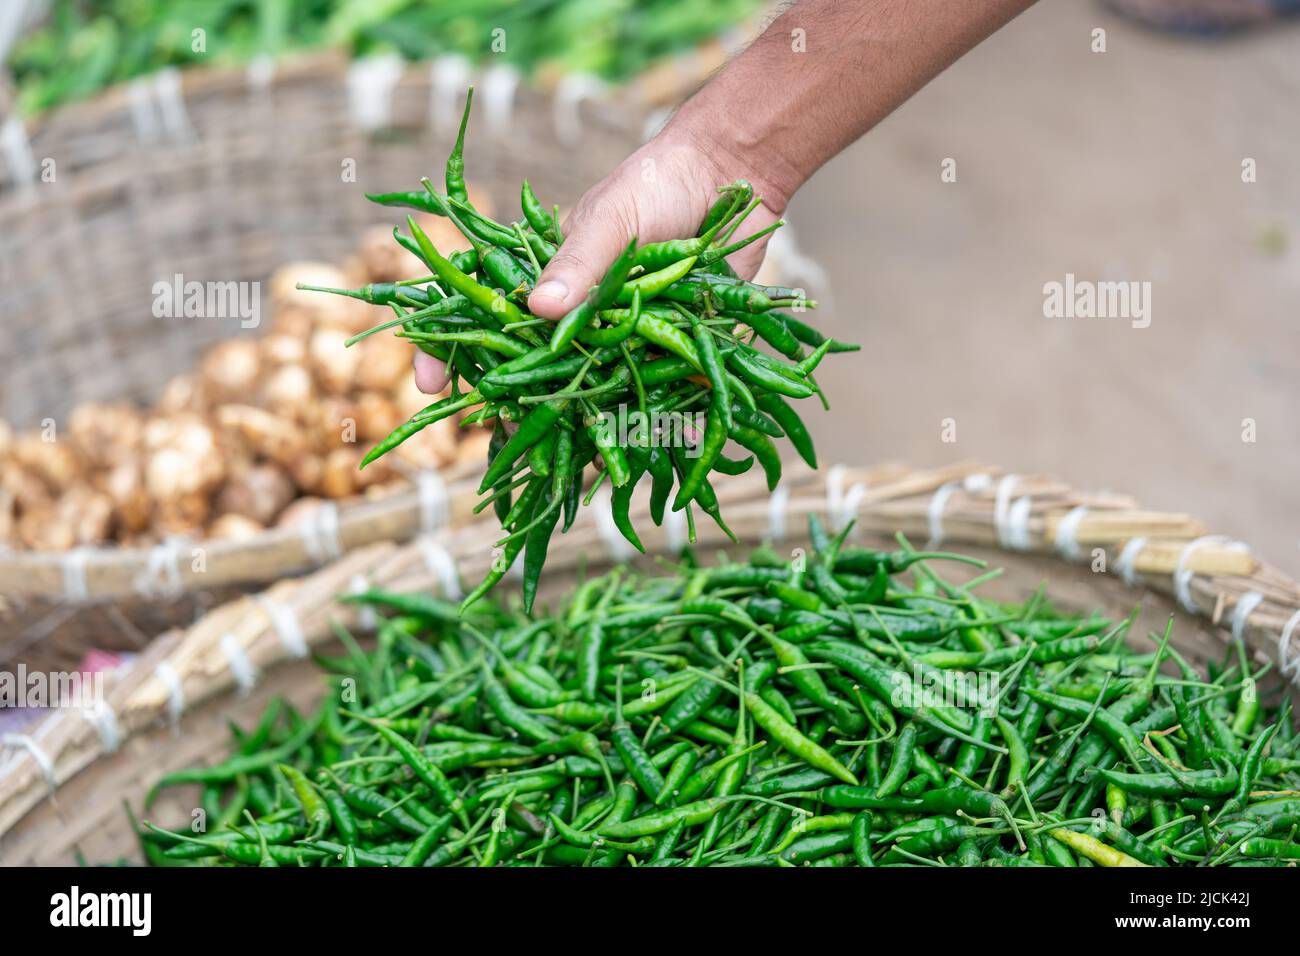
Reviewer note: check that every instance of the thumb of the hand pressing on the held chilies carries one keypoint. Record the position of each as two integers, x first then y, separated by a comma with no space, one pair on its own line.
593,240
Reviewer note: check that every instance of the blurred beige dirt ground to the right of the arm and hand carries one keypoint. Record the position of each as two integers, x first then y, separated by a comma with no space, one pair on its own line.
1119,166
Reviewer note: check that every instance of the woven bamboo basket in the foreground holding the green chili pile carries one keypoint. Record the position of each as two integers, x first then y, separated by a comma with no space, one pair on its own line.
62,788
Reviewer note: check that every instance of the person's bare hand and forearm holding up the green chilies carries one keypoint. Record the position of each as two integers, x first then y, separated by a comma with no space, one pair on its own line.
773,116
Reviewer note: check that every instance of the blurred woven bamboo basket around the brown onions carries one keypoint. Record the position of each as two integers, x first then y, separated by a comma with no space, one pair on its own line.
226,175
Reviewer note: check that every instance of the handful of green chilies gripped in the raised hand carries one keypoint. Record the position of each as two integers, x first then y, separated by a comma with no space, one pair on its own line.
665,340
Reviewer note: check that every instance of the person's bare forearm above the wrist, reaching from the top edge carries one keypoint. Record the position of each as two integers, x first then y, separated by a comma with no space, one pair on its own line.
825,73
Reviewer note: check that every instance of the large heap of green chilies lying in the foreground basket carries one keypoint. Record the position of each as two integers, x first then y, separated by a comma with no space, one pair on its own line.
846,708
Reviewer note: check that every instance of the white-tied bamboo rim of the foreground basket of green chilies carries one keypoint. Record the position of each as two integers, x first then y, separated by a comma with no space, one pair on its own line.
973,505
